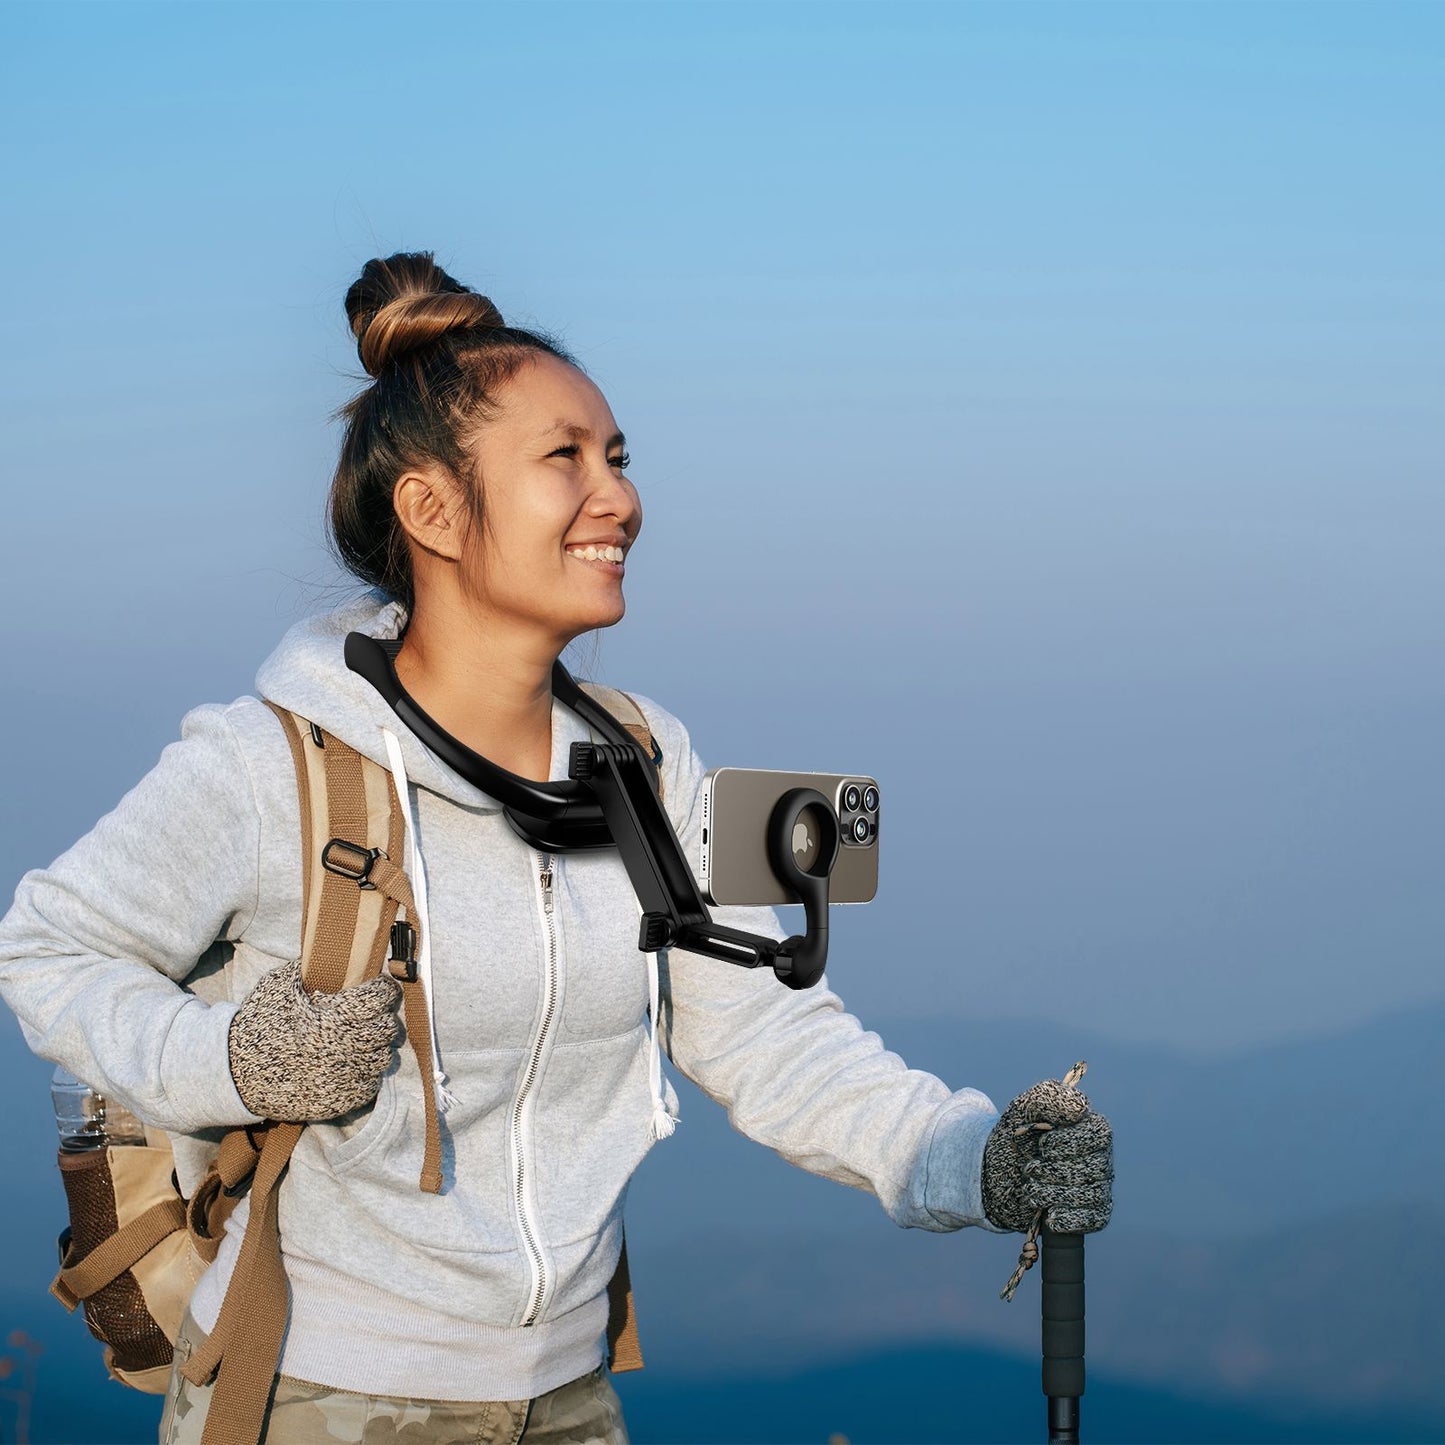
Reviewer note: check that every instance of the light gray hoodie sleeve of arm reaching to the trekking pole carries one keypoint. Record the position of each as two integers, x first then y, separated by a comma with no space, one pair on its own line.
800,1074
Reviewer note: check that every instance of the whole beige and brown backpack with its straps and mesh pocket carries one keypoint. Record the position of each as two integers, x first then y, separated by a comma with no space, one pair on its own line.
137,1248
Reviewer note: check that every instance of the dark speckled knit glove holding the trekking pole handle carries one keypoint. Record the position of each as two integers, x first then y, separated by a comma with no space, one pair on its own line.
1050,1152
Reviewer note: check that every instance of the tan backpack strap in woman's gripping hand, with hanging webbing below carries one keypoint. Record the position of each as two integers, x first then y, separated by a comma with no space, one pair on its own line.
352,829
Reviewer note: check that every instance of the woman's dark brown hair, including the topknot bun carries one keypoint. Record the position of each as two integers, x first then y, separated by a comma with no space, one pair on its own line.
437,352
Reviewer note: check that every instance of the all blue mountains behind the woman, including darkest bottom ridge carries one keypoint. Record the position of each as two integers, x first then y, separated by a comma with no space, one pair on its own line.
1272,1274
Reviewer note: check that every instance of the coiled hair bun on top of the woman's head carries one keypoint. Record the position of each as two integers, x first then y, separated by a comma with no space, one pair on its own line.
405,303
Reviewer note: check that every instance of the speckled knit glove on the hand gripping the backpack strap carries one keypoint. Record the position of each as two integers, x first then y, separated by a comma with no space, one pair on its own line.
301,1057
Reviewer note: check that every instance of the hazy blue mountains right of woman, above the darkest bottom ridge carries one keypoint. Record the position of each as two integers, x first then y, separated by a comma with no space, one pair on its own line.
1278,1232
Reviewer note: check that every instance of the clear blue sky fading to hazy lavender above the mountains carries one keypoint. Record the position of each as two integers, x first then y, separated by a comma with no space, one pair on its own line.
1037,407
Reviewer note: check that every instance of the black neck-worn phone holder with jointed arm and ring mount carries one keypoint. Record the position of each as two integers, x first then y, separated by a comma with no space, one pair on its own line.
611,800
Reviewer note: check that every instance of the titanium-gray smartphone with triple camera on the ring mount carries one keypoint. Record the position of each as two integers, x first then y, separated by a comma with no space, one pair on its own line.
736,807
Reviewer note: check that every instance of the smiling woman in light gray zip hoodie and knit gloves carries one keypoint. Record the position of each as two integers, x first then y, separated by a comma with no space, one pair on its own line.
483,495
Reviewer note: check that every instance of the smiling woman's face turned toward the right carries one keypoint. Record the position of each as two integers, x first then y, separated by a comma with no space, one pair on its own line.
558,512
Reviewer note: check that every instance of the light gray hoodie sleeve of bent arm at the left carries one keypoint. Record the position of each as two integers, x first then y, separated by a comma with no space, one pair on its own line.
96,946
